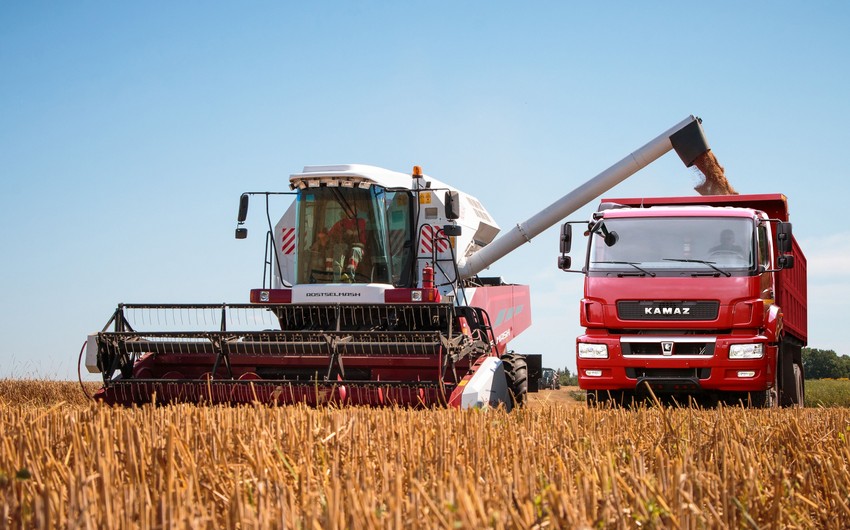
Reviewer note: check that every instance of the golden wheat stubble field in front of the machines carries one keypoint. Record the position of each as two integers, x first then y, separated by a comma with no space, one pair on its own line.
68,463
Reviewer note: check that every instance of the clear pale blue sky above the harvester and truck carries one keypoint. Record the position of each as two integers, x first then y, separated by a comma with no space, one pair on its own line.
129,129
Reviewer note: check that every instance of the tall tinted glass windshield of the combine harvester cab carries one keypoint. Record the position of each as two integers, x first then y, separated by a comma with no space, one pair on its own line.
352,235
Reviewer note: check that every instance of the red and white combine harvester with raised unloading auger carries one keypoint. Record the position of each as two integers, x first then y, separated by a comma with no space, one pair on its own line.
370,296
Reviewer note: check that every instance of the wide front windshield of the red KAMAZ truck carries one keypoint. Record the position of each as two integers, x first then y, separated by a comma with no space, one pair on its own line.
659,245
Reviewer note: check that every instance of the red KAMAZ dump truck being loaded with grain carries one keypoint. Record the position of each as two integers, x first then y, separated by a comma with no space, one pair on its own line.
701,296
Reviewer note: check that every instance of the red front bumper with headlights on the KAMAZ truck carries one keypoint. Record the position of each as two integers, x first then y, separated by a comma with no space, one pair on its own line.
675,372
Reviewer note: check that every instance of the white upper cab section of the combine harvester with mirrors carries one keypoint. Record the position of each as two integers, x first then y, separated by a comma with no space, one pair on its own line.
374,235
